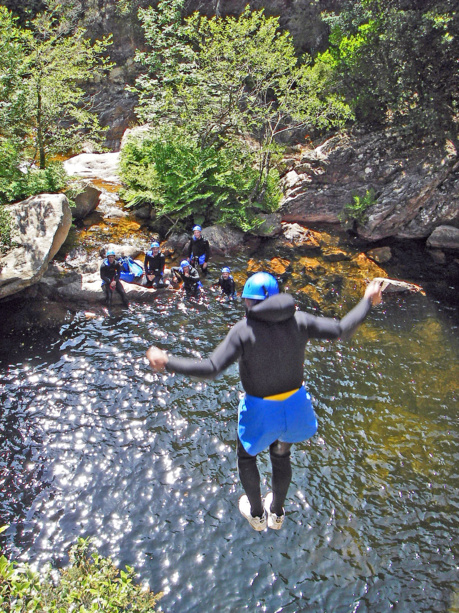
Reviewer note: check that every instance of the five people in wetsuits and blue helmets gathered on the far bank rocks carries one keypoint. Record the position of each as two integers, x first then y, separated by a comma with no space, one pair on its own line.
198,254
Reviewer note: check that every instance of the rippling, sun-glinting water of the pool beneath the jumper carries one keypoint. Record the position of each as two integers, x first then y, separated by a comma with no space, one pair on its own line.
93,443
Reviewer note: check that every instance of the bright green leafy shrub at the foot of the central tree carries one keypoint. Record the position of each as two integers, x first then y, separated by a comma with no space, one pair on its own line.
179,179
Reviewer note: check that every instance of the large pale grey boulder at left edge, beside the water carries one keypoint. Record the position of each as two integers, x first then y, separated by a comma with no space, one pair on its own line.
40,226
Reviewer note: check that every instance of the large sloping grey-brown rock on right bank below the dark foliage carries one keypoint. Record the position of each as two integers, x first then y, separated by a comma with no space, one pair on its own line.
415,188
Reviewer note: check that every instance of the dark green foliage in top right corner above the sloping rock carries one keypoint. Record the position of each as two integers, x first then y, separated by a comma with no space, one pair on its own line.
397,63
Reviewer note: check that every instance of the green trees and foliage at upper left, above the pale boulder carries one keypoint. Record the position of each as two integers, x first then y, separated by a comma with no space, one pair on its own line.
44,110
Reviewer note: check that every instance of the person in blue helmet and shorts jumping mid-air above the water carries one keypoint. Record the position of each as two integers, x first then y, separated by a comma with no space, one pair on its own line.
276,411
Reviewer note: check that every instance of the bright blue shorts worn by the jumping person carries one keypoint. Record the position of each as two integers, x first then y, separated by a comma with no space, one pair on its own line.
262,421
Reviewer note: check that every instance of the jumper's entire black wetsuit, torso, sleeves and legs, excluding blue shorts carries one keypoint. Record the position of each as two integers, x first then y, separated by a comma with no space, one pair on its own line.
269,345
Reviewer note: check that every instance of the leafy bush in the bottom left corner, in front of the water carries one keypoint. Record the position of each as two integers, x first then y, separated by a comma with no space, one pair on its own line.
90,583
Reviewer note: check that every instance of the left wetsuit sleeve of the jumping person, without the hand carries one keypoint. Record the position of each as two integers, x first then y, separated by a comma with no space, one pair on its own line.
229,350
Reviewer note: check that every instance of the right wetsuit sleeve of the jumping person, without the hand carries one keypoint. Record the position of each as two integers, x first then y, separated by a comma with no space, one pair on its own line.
327,328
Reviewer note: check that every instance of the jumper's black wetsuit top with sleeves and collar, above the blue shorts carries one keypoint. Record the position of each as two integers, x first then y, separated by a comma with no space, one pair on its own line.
270,345
